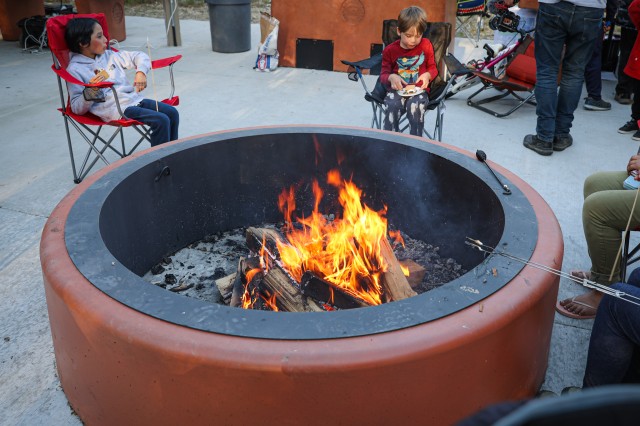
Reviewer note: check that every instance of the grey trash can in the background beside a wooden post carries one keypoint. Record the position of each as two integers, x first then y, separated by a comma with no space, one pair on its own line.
230,22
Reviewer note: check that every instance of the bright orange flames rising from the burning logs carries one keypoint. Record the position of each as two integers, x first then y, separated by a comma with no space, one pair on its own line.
345,251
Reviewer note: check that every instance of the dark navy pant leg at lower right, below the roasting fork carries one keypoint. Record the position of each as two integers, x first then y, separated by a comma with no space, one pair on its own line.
614,338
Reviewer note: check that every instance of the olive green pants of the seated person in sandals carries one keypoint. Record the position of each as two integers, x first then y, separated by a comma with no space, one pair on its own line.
605,214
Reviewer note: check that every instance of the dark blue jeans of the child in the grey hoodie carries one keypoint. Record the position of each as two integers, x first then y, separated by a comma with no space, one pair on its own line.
163,123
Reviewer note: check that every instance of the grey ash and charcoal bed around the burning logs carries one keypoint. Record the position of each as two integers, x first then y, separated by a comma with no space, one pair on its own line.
193,270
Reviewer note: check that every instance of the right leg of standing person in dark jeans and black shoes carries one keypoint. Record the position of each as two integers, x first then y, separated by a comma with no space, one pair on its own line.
584,28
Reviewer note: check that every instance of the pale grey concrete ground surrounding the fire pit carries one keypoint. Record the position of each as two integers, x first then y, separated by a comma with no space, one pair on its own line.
222,91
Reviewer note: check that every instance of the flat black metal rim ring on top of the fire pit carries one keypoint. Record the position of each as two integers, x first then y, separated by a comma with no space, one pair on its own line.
94,261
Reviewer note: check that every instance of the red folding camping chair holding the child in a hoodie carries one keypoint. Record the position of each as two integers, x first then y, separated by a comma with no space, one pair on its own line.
86,124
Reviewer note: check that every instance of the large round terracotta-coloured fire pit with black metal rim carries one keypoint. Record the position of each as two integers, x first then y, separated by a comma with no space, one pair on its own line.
127,350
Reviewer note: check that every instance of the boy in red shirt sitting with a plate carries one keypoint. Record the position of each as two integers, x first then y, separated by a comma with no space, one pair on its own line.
408,61
